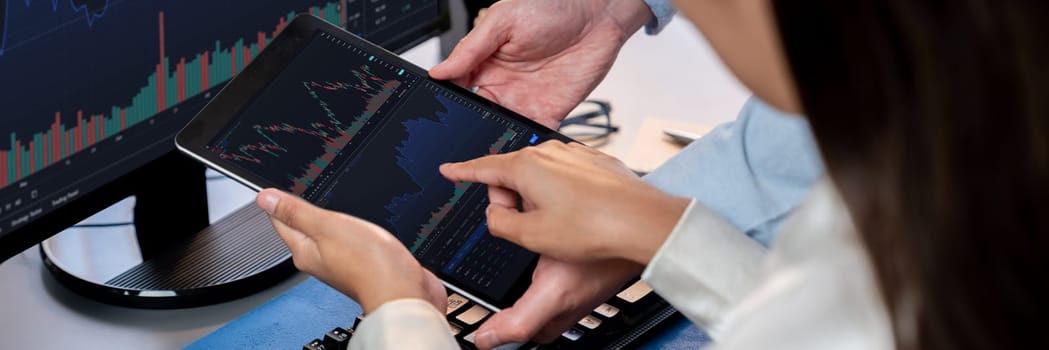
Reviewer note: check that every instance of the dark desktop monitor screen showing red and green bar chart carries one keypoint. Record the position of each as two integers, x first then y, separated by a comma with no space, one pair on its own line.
49,129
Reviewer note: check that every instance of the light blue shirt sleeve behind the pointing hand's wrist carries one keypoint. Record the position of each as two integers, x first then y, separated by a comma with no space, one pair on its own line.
753,172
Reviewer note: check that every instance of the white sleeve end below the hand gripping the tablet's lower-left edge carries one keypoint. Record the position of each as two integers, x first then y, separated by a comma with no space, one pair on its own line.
404,324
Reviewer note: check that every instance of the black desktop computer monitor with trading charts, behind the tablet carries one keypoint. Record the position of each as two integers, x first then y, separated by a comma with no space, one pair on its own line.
95,92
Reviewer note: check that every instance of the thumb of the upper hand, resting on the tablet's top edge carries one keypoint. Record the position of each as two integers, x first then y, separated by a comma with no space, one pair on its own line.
478,47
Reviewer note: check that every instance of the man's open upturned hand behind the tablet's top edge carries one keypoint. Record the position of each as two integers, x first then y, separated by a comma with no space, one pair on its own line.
542,58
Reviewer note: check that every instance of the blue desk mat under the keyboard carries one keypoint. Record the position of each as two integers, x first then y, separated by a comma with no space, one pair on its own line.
312,309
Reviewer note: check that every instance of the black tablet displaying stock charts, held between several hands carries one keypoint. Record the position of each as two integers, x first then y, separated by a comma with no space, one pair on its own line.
354,128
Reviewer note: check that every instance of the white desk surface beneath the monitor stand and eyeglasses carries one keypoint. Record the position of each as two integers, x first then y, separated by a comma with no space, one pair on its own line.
674,76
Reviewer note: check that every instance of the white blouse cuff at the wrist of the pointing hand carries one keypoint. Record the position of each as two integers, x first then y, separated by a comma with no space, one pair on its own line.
705,268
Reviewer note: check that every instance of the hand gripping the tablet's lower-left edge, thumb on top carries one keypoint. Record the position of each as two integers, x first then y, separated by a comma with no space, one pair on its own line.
354,256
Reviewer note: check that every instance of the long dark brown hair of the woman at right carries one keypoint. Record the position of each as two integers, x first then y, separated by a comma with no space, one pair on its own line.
933,118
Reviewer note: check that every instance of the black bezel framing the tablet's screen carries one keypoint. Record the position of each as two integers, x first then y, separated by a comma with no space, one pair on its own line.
240,94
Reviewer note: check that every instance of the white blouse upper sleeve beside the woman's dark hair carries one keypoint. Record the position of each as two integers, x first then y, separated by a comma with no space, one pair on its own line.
820,291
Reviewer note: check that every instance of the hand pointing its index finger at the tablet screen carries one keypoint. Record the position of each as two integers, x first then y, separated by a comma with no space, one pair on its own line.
581,205
